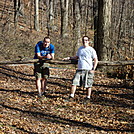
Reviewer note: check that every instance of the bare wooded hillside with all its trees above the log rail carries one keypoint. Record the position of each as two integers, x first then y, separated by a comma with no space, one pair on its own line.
109,23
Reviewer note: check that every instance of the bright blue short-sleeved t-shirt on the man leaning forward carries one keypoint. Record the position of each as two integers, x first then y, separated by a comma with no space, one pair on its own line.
43,50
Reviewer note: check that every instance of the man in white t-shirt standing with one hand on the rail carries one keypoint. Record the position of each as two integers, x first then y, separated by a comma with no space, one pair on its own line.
87,63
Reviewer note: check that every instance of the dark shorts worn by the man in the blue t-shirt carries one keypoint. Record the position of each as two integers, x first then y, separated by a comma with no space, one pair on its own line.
41,70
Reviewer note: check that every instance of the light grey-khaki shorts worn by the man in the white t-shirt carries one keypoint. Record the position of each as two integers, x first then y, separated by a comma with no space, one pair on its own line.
83,78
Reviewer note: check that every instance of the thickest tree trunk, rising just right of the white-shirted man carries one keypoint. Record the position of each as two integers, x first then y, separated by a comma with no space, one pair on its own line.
103,29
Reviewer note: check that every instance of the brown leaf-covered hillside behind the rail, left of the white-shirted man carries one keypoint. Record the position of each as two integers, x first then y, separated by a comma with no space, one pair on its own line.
19,42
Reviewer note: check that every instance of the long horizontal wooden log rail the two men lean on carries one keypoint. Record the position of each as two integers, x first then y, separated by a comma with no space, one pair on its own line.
61,62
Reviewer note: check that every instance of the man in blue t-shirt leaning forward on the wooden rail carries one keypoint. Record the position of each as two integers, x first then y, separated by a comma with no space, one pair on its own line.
43,50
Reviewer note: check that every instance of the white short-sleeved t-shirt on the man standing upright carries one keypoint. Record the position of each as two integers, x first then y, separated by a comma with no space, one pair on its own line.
86,56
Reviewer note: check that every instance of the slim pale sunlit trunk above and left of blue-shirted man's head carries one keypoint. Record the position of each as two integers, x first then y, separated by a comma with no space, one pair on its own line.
36,16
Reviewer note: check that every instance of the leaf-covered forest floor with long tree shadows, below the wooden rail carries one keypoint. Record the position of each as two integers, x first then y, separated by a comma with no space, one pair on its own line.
110,110
